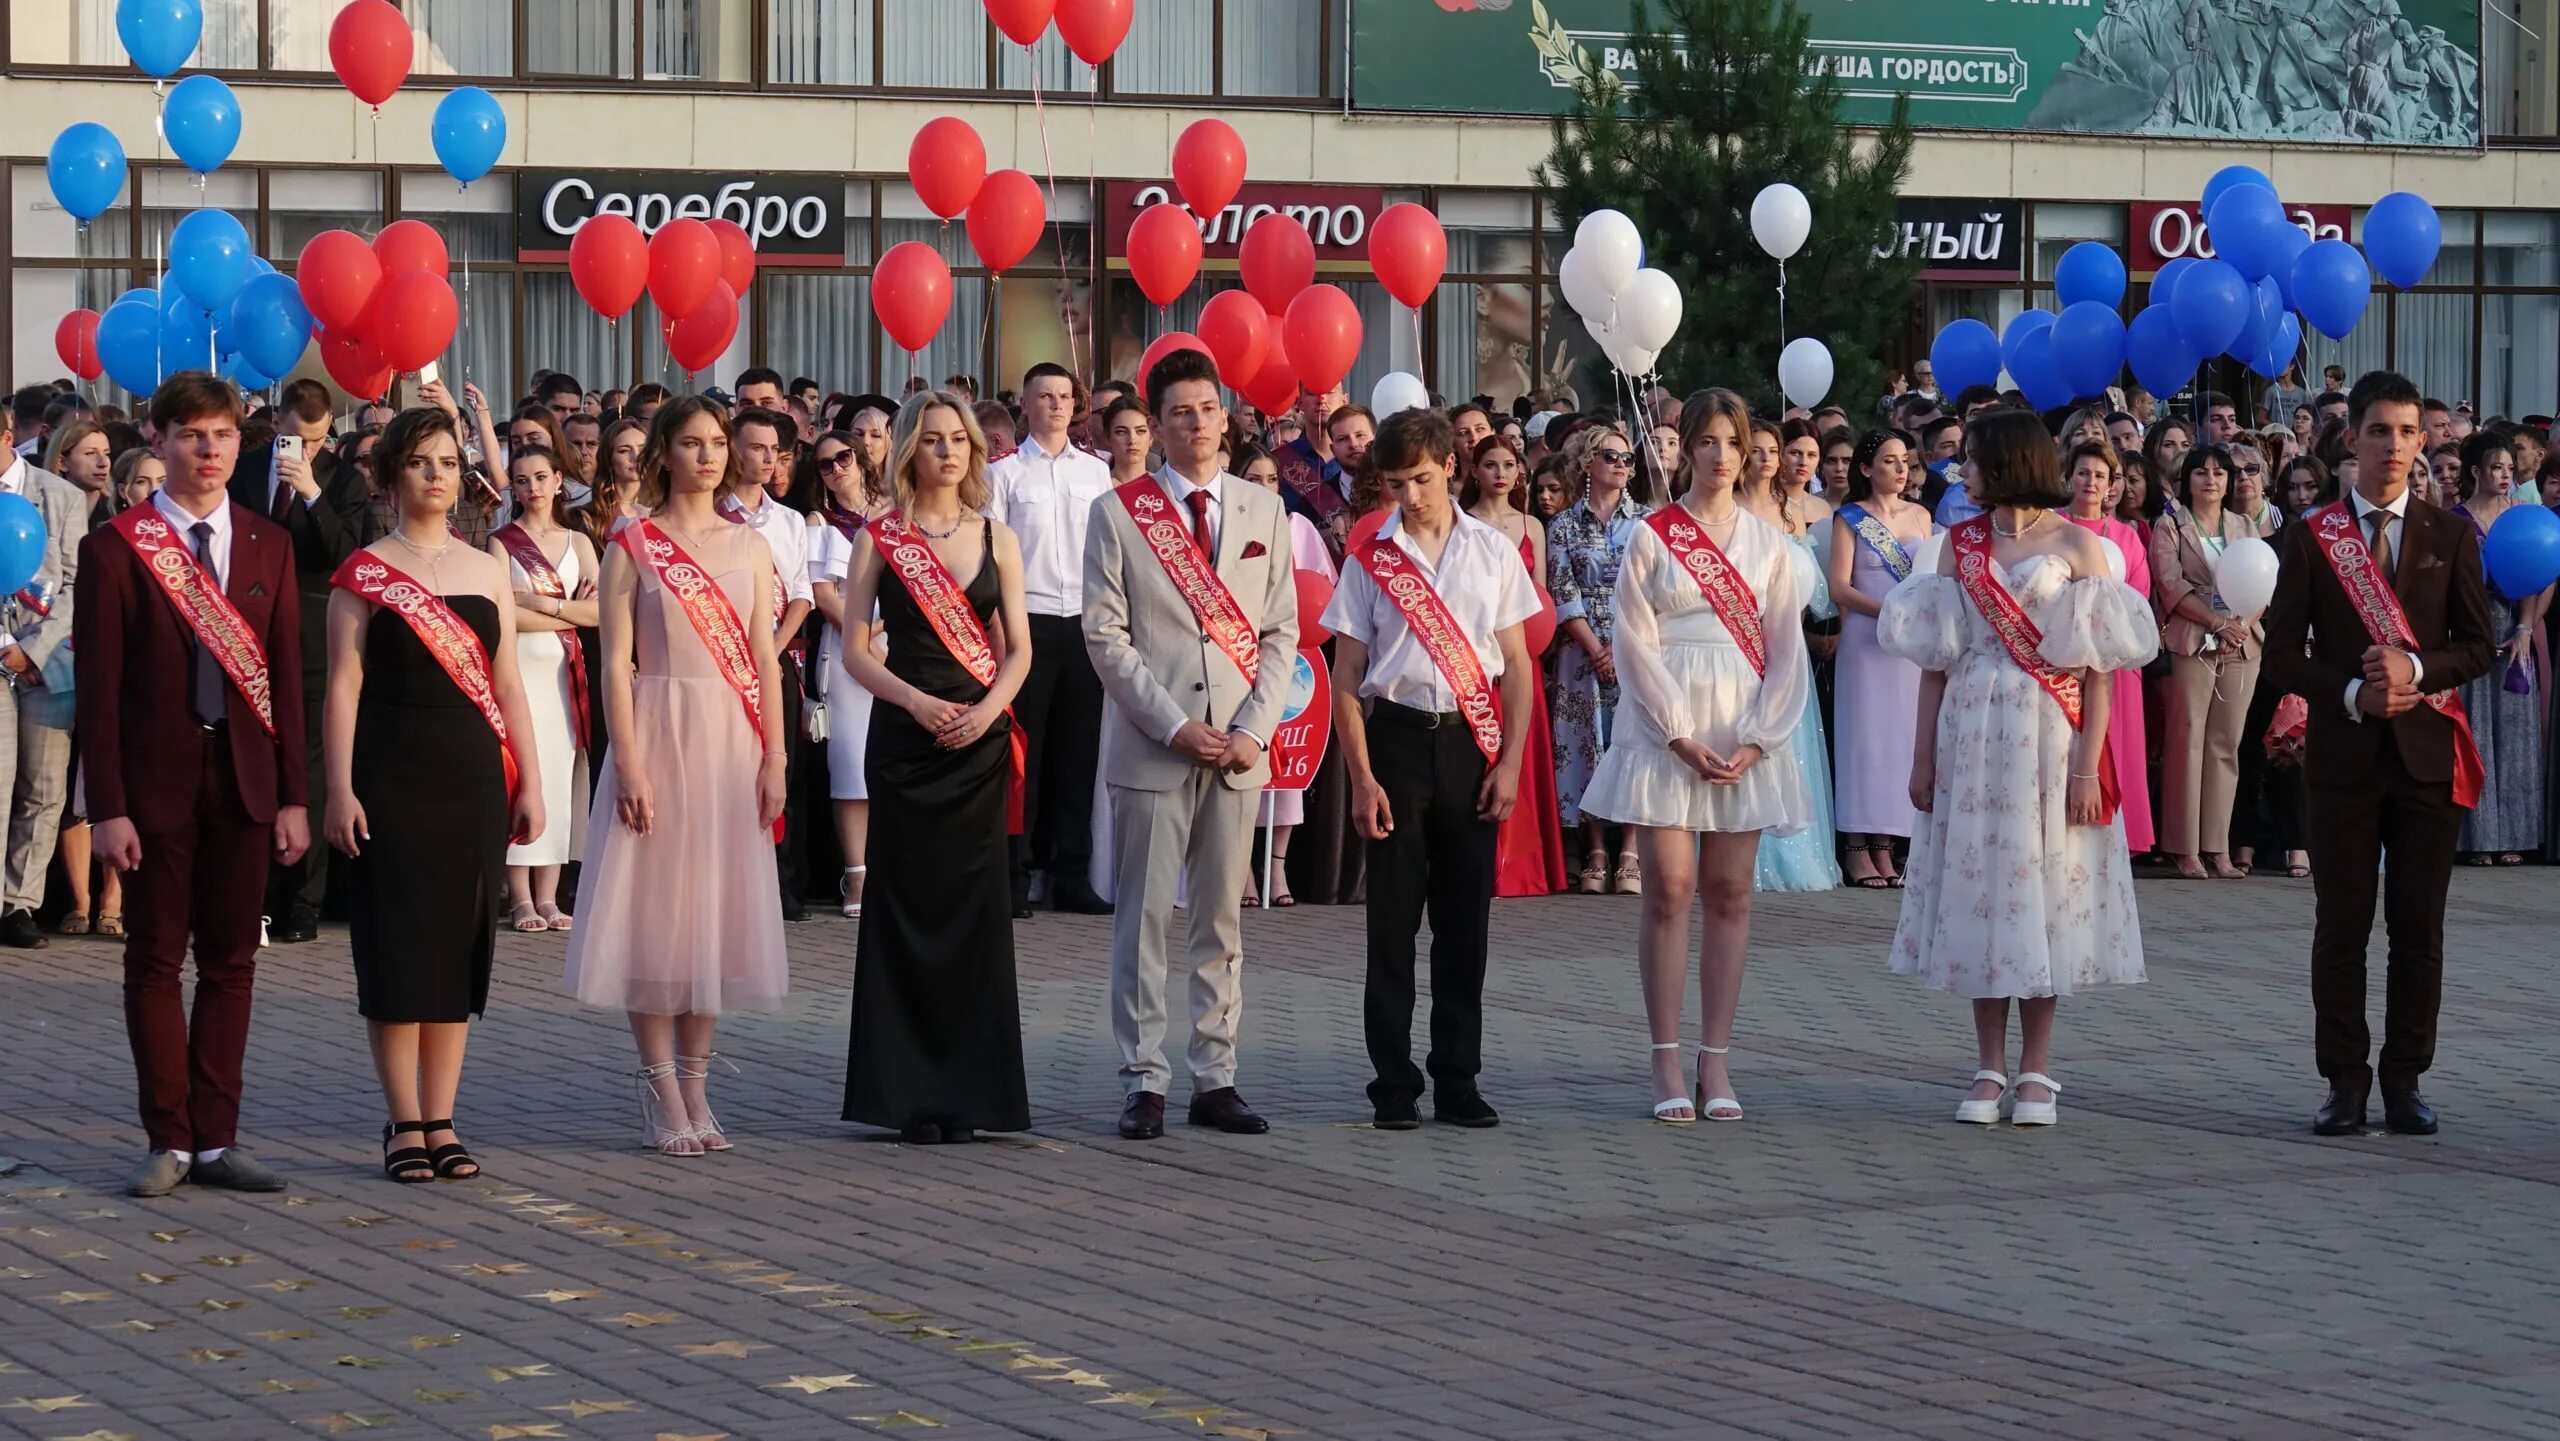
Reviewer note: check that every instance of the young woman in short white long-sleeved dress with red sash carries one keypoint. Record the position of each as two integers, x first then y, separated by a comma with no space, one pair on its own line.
1701,759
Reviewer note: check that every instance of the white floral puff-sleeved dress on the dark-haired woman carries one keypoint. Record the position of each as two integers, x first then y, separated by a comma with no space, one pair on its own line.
2006,895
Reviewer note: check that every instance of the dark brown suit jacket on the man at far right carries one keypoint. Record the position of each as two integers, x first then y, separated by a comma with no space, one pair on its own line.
2316,644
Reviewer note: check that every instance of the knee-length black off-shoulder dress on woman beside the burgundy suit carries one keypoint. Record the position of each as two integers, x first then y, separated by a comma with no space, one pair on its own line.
434,792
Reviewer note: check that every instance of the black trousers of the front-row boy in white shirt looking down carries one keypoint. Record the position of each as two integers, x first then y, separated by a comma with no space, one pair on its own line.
1435,861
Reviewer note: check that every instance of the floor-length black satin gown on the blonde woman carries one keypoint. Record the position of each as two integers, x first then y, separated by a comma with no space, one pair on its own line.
936,1023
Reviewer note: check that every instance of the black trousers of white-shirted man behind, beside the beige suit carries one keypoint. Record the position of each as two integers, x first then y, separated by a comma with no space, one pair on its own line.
1061,713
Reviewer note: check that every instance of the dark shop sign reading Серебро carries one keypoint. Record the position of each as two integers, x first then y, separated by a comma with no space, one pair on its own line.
795,219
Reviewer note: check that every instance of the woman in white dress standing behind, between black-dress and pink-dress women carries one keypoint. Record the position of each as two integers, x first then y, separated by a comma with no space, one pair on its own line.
544,631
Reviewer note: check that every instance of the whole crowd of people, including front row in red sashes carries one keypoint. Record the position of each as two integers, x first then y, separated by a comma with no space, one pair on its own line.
631,667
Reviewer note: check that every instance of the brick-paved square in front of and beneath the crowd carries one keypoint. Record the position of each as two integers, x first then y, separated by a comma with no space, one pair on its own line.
2177,1261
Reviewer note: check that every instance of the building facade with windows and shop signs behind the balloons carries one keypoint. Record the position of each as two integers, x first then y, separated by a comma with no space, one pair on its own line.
795,119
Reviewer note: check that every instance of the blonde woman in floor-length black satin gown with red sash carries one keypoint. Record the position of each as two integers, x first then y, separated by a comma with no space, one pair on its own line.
936,1023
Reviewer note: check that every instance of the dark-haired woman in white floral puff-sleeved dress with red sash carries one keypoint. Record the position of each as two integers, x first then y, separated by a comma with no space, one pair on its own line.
2021,887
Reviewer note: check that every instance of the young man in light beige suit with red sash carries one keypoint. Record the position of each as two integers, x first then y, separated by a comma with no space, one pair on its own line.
1192,618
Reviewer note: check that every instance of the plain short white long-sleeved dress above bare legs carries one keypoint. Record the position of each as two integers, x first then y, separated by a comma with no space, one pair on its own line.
1681,674
